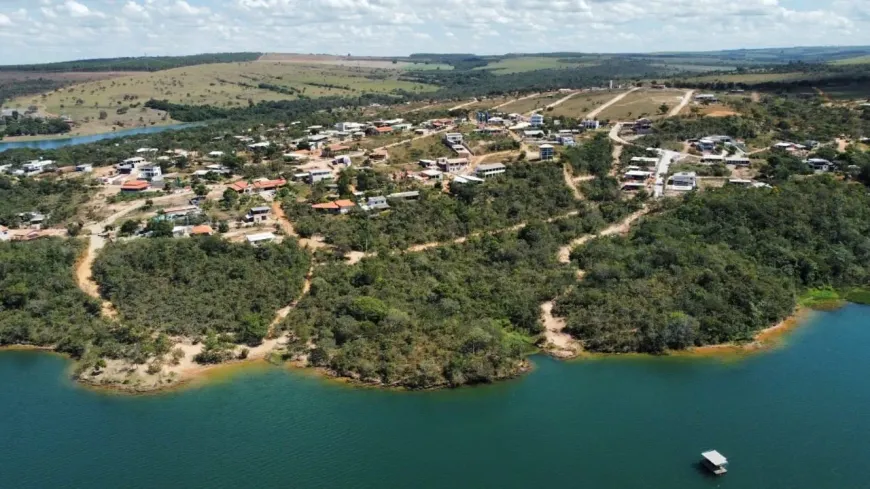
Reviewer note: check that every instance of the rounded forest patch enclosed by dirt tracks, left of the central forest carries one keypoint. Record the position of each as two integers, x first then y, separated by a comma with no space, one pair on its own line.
195,286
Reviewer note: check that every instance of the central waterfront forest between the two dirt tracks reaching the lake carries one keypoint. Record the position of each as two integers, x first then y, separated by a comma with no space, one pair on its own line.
454,315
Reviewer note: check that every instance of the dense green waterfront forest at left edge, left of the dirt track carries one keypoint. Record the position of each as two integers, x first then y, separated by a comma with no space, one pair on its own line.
40,303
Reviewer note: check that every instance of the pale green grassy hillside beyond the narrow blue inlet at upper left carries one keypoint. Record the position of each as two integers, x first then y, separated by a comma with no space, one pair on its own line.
221,85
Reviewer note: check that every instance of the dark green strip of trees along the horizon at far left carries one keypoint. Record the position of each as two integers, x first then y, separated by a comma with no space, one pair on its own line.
144,63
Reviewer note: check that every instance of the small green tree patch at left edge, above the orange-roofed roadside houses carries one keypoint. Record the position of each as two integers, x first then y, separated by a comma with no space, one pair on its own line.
58,199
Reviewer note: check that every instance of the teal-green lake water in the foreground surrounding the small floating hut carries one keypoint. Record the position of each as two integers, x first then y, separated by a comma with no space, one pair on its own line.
797,417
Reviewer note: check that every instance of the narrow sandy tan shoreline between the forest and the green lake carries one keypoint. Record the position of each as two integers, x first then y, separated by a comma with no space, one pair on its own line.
191,375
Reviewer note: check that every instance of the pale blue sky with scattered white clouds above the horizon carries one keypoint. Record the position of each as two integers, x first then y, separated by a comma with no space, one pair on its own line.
34,31
